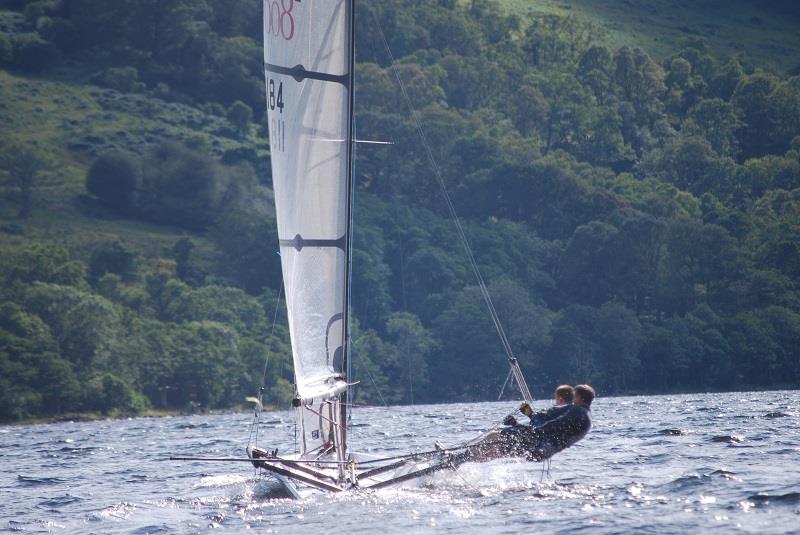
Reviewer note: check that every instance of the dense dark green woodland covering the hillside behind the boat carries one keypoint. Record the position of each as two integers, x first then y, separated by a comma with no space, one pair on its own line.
637,221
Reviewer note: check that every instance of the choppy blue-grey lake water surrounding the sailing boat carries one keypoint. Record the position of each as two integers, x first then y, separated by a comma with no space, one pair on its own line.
664,464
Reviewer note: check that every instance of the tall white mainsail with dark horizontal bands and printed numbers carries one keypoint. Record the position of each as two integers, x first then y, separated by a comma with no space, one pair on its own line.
308,66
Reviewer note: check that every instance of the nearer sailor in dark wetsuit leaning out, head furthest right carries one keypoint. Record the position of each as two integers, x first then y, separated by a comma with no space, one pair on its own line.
539,443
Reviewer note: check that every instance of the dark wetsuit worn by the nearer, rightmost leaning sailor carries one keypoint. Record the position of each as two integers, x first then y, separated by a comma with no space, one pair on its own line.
539,443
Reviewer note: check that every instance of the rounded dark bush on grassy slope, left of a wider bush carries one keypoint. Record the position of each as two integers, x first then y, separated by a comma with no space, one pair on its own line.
114,178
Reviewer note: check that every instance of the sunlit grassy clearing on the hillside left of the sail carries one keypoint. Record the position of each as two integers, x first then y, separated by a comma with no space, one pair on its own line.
72,124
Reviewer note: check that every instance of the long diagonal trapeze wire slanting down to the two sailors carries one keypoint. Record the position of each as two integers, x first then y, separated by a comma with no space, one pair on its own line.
517,372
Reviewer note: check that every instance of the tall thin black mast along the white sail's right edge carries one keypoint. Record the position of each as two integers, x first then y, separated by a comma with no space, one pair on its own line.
349,217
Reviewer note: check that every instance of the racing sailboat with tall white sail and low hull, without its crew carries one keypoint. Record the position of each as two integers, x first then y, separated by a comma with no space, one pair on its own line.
309,60
